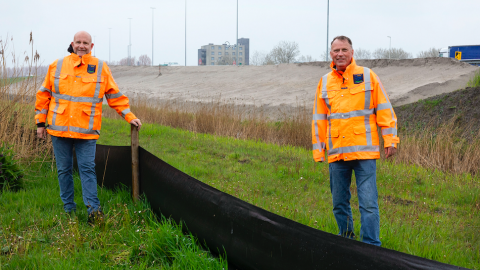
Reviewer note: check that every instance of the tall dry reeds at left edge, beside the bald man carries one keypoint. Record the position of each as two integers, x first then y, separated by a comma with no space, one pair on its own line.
17,98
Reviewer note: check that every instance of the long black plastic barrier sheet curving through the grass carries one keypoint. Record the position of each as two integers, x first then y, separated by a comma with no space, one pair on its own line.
253,238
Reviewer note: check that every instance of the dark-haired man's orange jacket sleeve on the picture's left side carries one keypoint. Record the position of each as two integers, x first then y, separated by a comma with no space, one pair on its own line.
319,125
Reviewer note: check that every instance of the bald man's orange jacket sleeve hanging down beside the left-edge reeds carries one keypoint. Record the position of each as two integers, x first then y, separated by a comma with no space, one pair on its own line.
43,97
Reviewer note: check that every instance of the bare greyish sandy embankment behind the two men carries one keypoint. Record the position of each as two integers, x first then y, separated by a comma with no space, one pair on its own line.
406,81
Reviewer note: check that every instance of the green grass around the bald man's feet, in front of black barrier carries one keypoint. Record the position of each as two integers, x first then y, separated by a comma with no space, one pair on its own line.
35,233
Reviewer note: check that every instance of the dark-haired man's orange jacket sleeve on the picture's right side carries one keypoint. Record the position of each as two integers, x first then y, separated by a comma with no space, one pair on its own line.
386,118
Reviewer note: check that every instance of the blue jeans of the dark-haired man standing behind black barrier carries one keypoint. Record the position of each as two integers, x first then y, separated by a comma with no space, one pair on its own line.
340,180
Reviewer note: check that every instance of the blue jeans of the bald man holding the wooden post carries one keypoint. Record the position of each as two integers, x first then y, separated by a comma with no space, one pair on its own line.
85,150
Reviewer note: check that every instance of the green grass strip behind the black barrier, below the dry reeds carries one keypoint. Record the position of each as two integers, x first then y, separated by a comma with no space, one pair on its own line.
425,213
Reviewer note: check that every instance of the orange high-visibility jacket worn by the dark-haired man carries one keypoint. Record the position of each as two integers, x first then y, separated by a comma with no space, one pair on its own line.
347,109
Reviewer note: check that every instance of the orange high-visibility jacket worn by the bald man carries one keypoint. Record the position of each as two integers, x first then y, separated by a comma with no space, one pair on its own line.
71,97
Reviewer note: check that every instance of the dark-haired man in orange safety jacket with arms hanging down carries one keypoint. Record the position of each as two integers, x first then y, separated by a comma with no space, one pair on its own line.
349,104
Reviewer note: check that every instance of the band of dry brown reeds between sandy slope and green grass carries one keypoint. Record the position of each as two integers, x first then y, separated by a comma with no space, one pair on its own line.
446,148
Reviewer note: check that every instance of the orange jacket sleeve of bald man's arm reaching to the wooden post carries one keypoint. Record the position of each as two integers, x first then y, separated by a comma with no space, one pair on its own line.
115,99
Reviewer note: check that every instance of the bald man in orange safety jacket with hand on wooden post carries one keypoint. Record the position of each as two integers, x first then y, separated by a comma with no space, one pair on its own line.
70,101
